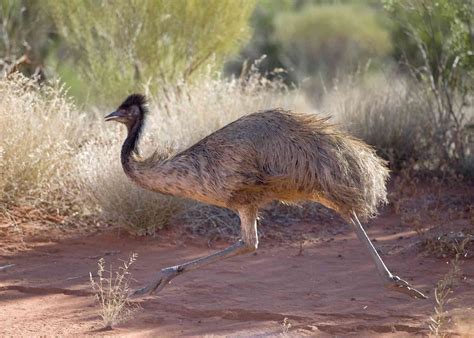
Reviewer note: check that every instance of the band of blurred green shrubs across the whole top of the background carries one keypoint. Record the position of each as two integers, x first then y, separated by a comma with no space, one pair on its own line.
101,49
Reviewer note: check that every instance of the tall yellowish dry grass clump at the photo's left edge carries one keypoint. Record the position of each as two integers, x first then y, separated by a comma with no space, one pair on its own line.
40,128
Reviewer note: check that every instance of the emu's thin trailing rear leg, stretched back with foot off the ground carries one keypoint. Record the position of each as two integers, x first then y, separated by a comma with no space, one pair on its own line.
391,281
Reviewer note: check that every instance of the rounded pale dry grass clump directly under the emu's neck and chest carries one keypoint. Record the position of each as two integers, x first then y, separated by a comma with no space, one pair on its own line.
105,187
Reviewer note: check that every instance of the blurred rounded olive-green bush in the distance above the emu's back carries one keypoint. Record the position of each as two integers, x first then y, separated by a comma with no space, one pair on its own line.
318,41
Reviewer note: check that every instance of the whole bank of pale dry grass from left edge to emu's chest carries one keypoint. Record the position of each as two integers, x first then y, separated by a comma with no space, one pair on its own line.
46,162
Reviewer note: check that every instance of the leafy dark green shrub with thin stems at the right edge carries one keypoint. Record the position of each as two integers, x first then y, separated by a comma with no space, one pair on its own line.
439,52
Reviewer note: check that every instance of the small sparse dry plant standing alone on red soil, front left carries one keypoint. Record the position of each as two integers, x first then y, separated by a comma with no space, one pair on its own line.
112,292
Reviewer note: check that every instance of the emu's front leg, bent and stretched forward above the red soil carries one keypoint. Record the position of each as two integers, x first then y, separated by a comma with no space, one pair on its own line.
248,243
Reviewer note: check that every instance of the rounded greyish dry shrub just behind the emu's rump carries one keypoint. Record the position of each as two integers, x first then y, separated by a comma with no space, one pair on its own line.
386,113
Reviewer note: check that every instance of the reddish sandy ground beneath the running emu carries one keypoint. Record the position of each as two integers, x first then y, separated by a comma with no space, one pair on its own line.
318,276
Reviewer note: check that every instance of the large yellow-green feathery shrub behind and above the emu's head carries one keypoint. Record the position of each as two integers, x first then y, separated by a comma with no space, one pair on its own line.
119,46
